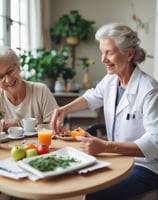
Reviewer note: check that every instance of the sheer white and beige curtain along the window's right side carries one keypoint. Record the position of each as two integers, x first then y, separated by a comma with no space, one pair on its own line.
39,21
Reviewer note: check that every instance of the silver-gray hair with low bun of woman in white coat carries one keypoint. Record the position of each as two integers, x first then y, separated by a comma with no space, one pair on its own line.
124,37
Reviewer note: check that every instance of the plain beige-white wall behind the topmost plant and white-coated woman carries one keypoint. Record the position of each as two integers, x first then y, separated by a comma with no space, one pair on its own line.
105,11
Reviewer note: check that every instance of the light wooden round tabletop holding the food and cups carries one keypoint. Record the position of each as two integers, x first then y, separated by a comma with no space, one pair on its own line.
67,185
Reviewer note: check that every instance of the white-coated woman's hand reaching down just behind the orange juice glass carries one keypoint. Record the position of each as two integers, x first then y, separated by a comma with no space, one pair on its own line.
57,119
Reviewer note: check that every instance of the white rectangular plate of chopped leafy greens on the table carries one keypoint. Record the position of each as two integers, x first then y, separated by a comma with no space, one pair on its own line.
62,161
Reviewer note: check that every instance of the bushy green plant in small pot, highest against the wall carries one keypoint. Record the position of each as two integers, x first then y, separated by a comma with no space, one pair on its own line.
72,25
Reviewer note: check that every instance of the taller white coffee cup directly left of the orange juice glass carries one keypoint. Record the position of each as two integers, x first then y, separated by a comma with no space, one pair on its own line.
29,124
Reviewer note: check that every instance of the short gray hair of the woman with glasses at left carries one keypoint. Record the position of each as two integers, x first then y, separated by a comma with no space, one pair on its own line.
6,53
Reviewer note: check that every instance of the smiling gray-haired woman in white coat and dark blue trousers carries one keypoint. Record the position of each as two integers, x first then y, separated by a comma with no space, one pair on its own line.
130,100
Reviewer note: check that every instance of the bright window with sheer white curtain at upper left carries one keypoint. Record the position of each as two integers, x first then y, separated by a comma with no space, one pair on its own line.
17,28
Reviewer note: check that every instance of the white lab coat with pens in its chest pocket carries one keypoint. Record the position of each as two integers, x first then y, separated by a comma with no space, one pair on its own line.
136,115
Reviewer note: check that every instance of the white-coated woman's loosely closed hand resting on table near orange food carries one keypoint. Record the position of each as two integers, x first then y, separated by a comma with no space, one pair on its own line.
92,145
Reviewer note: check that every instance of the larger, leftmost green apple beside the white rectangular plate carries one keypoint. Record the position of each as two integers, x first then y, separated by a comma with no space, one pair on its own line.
18,152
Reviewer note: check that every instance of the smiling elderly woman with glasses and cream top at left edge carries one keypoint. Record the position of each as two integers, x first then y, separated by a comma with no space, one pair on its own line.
20,98
